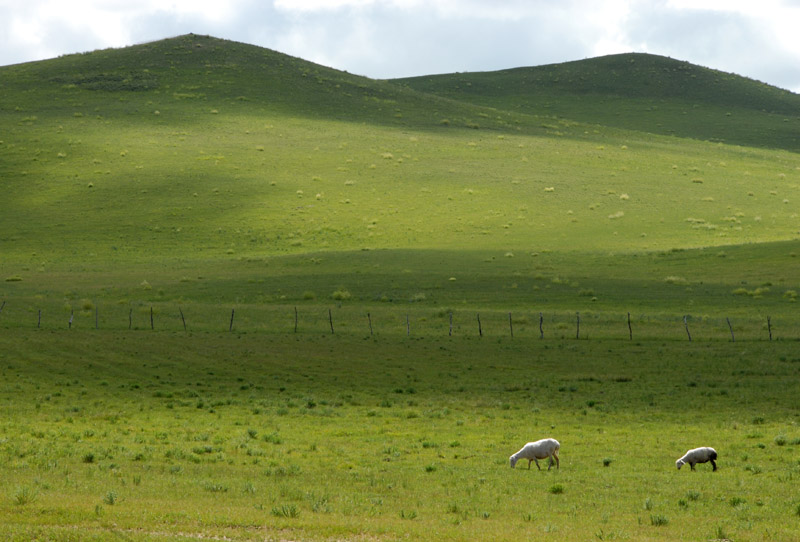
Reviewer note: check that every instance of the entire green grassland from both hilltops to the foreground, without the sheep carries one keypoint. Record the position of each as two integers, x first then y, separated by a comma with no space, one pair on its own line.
247,297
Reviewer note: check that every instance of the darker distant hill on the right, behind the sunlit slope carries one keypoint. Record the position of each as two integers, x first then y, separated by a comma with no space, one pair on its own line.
636,91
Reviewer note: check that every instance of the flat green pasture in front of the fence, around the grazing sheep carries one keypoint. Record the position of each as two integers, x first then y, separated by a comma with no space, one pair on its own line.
141,435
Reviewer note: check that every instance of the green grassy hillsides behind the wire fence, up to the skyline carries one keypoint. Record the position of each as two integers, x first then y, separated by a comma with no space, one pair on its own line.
194,156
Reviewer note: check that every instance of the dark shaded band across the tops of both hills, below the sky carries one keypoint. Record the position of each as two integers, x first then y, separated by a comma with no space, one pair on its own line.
633,91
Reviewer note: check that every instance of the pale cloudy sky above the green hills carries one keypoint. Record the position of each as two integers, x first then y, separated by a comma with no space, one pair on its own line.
384,39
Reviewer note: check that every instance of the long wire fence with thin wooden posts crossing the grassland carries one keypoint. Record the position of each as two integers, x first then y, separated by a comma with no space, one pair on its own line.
380,320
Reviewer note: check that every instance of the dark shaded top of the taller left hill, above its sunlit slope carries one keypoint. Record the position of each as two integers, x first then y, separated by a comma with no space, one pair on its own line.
195,72
